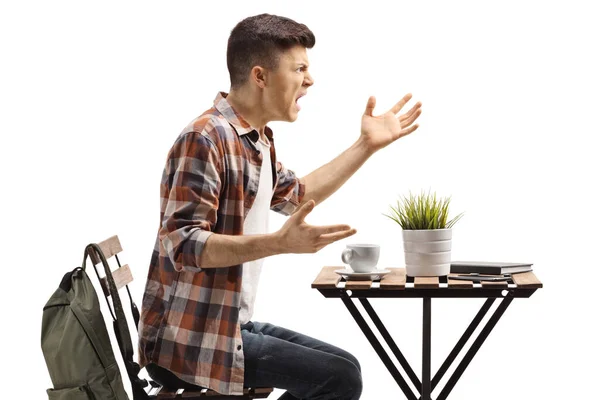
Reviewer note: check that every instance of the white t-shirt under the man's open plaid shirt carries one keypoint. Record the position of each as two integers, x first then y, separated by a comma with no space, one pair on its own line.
256,223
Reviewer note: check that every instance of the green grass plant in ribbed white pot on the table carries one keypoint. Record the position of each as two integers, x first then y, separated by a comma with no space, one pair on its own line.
426,233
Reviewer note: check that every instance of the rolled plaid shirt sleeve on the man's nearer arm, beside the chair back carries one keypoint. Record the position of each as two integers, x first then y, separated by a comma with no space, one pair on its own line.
192,182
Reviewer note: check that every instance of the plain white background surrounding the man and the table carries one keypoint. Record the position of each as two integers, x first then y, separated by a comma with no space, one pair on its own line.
94,94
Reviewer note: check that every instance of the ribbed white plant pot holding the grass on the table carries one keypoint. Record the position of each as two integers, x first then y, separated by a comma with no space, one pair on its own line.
427,252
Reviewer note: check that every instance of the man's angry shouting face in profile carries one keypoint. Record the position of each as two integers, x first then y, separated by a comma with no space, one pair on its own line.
286,84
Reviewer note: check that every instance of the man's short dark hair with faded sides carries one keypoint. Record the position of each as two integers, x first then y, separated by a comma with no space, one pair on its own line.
260,40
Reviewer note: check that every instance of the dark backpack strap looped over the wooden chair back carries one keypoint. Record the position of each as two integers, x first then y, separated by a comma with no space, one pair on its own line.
119,324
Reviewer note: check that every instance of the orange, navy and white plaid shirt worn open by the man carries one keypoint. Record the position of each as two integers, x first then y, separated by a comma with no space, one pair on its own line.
189,320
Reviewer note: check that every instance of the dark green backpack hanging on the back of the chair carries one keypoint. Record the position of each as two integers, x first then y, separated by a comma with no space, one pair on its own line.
76,344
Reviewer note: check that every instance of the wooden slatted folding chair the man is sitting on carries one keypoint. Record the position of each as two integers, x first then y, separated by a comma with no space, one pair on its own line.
151,390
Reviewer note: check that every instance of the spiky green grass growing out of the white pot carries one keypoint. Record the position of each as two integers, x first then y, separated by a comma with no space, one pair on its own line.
422,212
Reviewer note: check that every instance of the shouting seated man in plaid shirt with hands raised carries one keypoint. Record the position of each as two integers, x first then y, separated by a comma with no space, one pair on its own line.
220,180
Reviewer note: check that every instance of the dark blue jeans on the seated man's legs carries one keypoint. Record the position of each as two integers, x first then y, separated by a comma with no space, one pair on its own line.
307,368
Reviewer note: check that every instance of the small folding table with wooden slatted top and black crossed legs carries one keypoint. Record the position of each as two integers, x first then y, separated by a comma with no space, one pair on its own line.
397,284
